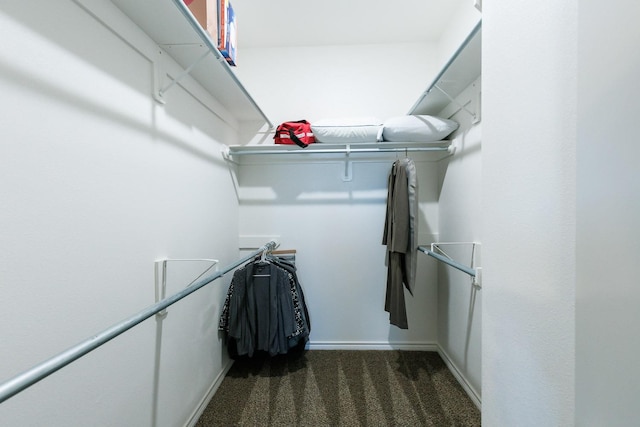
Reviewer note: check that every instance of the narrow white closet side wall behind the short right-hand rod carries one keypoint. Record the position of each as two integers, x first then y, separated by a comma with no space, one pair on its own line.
460,219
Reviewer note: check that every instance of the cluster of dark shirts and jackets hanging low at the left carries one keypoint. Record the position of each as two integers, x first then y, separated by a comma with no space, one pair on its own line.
265,309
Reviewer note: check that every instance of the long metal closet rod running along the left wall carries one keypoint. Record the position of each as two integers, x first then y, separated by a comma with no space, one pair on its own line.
48,367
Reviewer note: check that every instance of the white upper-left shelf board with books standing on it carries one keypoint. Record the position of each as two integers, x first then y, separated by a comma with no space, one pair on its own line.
170,24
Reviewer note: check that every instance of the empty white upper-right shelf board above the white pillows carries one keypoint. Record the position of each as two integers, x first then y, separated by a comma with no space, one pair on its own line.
462,69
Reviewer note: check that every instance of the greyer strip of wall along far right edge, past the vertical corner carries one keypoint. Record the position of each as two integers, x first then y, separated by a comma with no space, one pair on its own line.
608,208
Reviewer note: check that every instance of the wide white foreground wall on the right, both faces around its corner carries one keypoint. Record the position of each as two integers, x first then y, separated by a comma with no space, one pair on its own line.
561,207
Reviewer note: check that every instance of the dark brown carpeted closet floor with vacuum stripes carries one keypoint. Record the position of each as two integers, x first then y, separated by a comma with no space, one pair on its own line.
341,388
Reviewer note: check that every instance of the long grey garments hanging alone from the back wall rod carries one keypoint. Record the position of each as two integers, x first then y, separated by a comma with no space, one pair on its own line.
400,235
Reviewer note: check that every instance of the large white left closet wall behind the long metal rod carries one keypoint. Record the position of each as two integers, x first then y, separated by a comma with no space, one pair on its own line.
97,182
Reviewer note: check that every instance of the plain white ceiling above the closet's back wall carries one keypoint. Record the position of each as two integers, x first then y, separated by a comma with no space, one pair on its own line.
277,23
